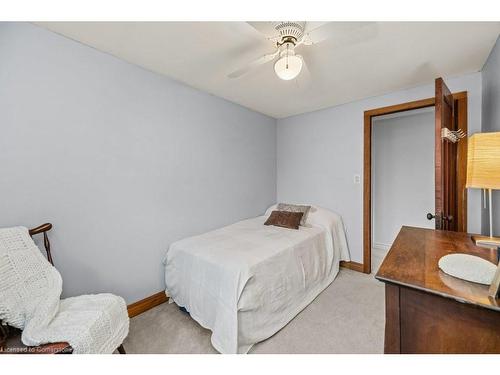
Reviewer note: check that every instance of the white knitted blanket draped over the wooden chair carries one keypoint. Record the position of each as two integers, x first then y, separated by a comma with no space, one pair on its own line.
30,288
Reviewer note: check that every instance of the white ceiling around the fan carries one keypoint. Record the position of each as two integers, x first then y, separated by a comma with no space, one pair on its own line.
360,61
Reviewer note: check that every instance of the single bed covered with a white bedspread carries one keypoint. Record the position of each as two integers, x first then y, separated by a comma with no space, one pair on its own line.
246,281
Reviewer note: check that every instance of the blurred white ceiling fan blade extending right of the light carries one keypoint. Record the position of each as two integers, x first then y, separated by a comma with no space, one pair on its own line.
341,32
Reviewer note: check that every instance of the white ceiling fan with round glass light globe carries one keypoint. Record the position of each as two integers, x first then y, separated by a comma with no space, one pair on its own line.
288,35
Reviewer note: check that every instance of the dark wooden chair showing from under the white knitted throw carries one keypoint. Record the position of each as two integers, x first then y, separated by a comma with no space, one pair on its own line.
10,337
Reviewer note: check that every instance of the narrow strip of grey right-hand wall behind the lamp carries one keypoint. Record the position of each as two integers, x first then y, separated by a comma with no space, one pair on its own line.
491,123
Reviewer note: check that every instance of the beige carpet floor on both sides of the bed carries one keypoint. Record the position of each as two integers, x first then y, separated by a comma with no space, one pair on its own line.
348,317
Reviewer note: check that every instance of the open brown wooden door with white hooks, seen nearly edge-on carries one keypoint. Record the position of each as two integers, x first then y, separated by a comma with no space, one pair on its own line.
445,161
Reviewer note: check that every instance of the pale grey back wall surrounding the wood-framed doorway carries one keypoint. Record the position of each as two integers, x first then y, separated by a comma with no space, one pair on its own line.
319,152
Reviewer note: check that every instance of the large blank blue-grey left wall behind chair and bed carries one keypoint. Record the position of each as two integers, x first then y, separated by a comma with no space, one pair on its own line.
122,161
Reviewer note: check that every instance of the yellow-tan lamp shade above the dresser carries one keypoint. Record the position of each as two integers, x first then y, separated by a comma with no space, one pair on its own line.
483,161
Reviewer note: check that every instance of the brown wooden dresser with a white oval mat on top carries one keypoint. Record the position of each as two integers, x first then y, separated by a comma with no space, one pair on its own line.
428,311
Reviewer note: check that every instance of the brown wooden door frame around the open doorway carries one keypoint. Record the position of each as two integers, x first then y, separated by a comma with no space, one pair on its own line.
461,113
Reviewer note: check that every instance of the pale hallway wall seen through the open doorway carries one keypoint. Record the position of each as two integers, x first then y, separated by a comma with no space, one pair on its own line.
402,173
